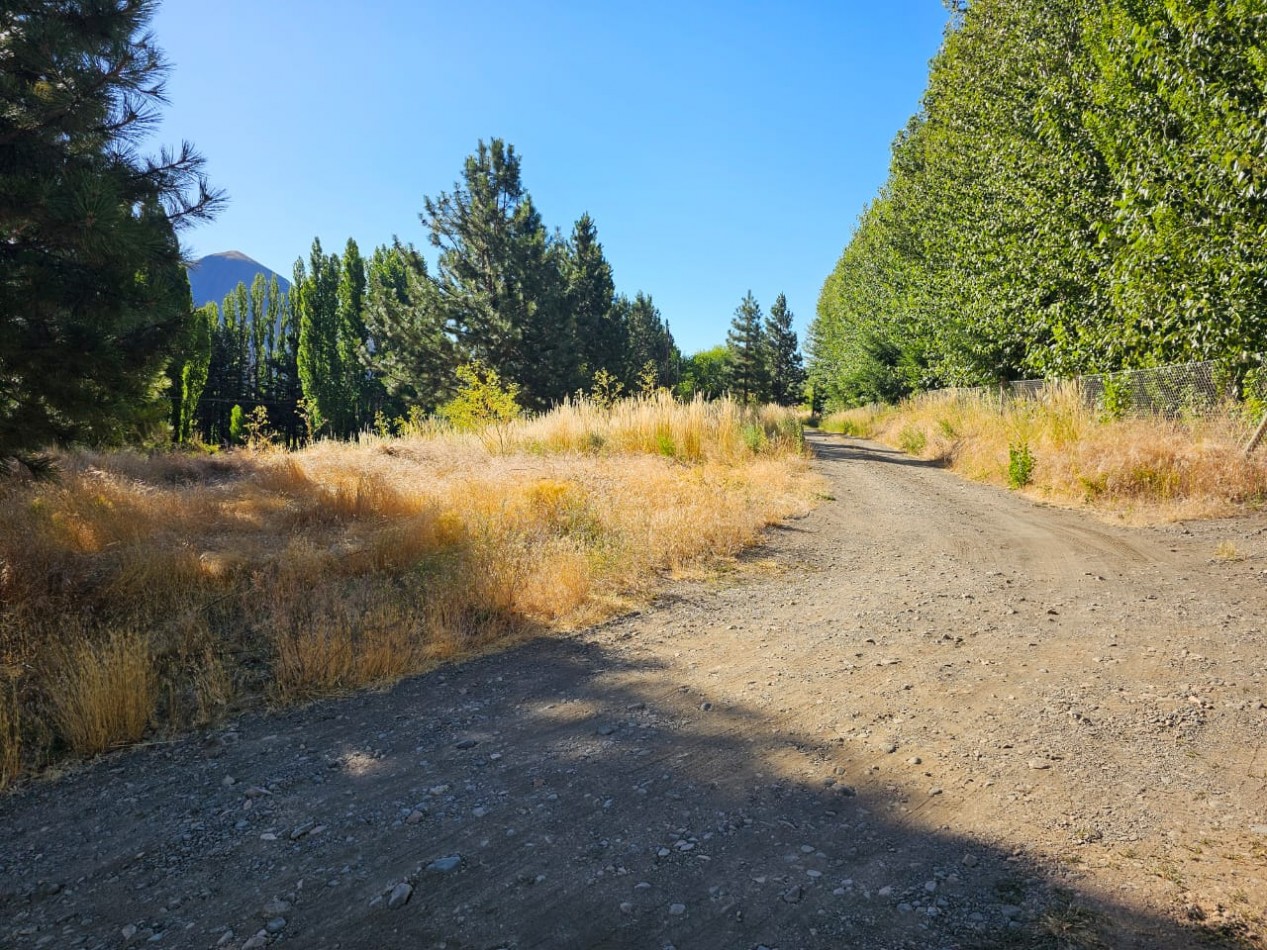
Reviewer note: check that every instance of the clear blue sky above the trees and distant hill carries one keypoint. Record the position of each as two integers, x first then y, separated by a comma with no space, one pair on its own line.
720,148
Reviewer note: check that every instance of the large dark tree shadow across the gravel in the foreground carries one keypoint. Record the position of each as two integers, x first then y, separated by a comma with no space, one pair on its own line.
590,800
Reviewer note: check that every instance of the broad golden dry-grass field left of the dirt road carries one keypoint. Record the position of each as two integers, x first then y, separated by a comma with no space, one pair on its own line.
143,595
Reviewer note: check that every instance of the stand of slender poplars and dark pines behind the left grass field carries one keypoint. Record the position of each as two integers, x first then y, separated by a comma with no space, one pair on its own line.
364,344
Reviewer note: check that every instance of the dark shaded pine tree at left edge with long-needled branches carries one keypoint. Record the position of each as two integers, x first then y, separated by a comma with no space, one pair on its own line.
94,305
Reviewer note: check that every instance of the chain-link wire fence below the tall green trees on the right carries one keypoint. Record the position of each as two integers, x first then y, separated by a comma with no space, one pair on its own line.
1185,389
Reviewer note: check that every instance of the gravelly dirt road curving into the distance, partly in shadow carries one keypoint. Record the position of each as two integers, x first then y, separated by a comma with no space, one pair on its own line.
929,715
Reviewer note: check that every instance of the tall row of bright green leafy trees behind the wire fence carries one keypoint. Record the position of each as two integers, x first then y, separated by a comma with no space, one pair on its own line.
1083,192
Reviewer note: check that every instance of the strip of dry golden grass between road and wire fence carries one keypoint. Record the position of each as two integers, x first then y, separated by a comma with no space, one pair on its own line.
1140,469
